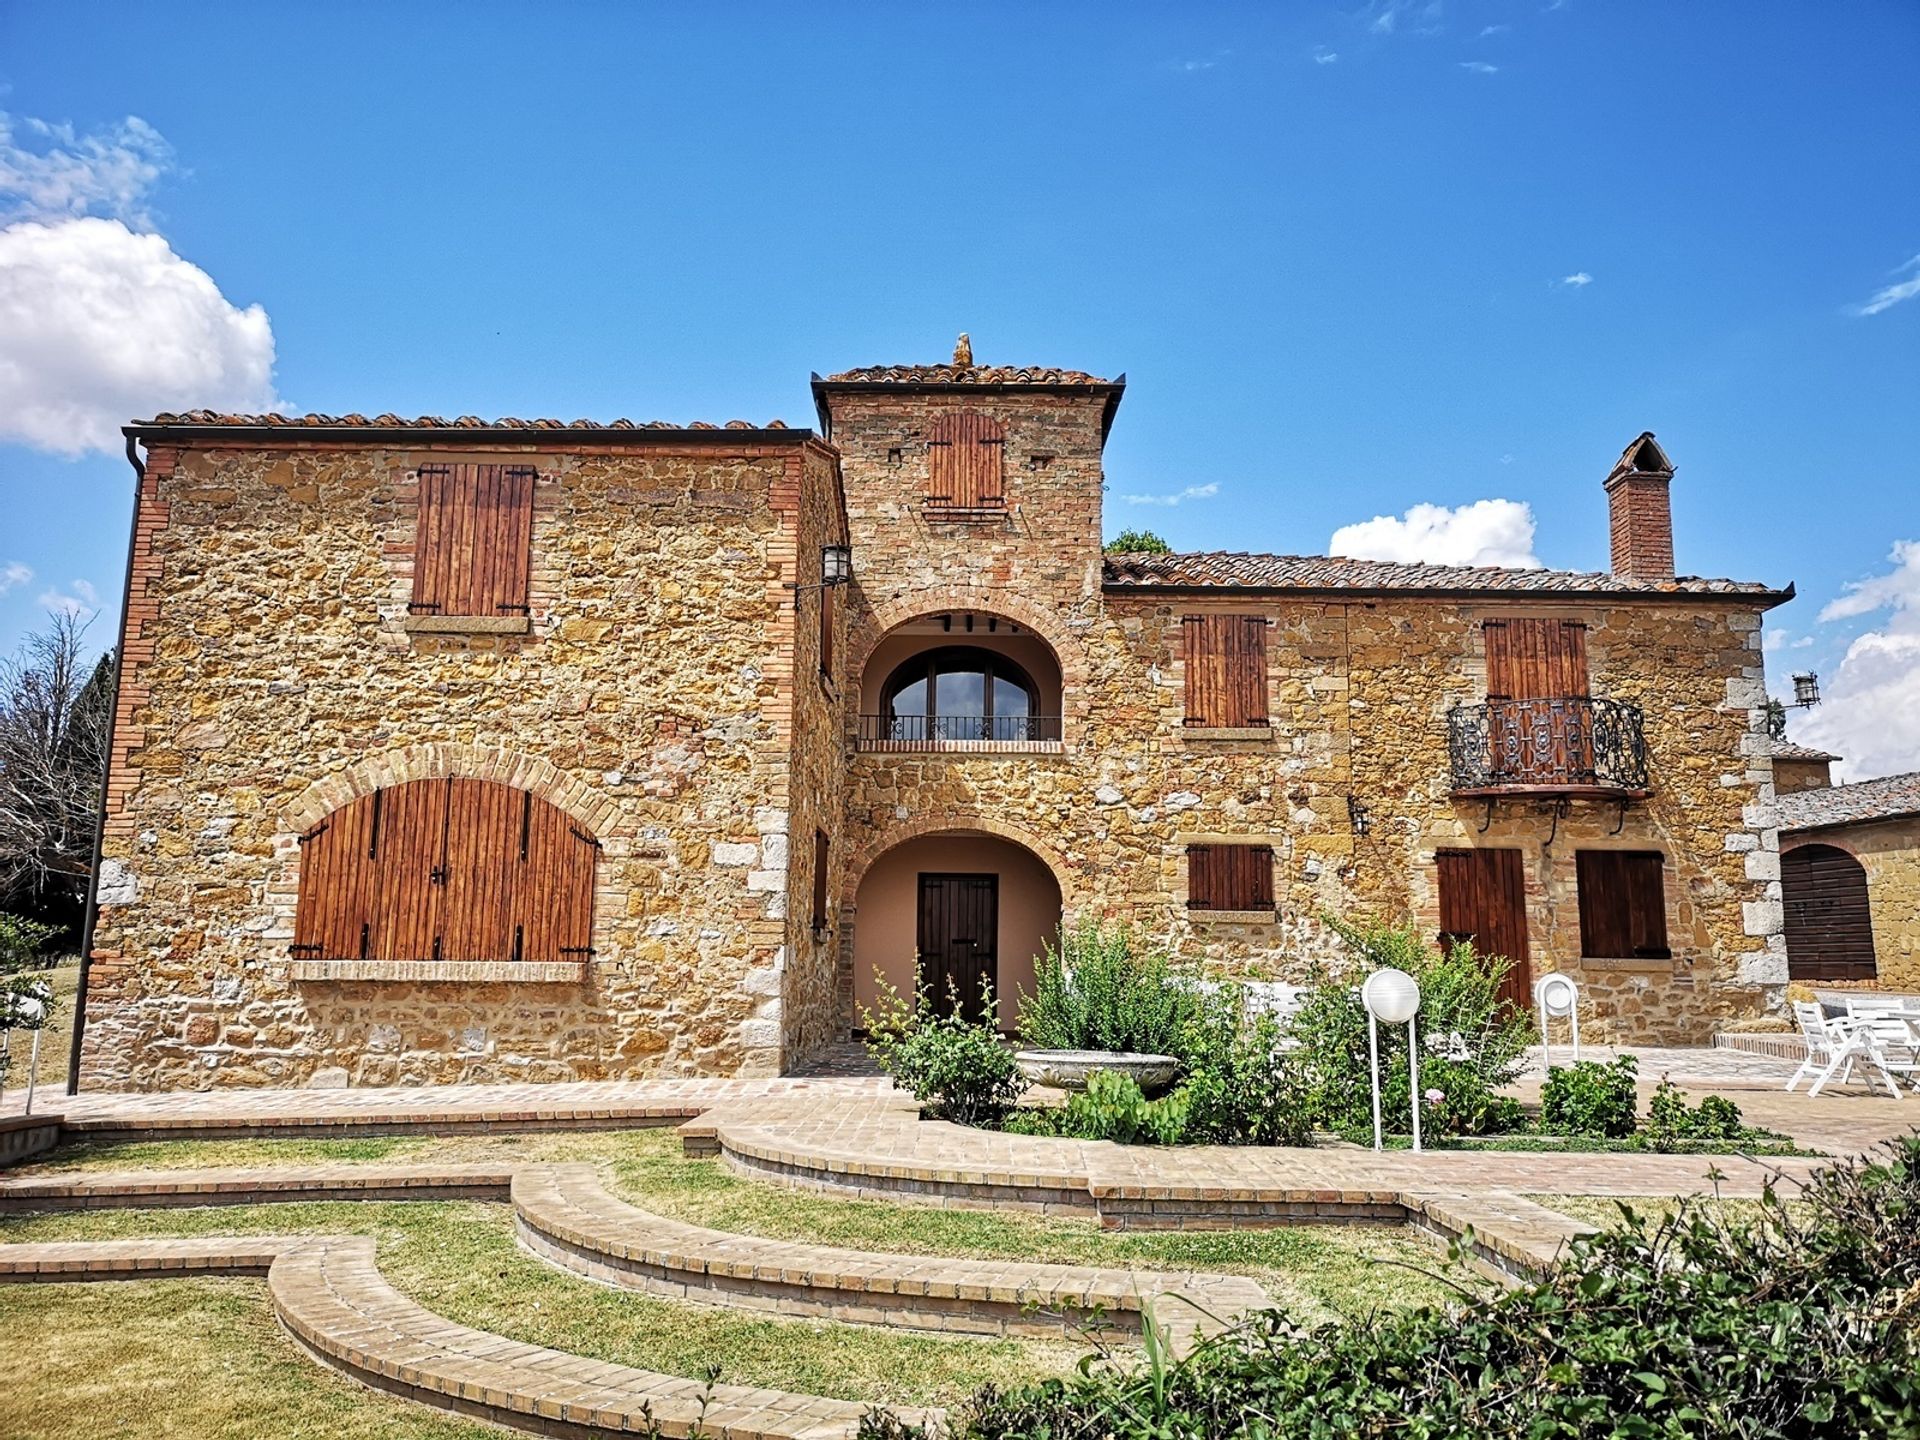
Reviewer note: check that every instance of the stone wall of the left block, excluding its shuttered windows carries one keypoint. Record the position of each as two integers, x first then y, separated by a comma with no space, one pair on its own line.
274,675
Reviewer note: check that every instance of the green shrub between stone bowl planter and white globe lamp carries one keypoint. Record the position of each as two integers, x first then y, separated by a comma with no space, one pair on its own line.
1243,1086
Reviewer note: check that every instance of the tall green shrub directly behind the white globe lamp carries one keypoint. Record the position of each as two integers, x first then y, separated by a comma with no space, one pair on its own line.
1472,1042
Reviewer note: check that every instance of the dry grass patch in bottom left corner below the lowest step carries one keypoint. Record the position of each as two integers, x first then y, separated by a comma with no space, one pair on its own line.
181,1360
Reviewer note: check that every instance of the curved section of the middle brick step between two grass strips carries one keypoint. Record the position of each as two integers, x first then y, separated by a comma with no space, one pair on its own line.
565,1216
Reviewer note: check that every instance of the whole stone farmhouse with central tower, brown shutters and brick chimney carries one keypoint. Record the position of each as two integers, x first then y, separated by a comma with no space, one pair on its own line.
525,750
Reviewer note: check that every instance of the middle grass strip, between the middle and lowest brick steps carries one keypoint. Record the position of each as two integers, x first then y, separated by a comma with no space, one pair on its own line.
460,1260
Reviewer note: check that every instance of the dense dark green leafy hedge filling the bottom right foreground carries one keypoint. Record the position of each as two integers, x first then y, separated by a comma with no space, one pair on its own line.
1798,1326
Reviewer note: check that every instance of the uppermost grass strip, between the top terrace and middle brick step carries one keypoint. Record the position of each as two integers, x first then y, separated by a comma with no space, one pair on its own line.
1316,1272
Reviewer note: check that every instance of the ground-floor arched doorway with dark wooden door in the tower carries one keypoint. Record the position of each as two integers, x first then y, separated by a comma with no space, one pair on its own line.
949,911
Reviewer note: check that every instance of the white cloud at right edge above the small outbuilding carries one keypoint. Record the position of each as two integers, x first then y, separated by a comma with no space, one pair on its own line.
1871,706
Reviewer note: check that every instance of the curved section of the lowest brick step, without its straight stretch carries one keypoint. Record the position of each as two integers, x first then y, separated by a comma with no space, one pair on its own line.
335,1301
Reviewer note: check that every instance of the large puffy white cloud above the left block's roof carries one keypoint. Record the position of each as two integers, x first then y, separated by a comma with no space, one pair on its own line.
101,325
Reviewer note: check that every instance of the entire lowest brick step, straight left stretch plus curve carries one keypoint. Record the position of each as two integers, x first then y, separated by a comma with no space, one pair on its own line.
341,1310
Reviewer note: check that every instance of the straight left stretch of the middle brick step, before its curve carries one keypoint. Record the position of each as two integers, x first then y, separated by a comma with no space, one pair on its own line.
252,1186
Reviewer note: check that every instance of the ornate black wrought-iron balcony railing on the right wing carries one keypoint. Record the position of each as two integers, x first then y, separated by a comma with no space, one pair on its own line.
1562,746
